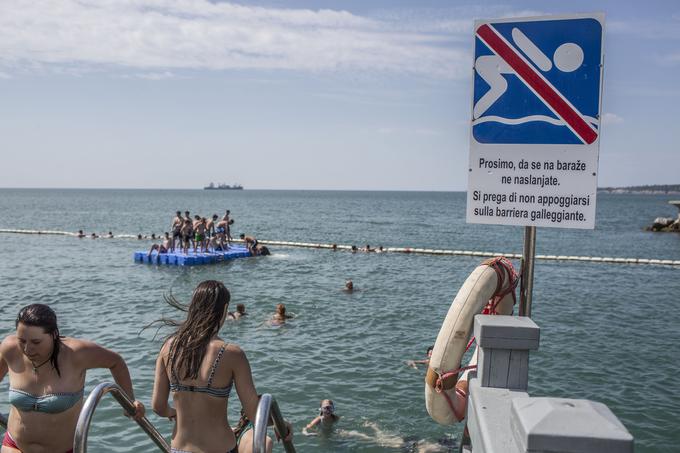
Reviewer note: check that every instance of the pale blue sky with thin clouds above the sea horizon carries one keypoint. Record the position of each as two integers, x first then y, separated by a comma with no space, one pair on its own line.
337,95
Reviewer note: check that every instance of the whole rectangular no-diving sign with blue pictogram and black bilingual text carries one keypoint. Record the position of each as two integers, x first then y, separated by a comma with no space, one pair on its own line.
535,130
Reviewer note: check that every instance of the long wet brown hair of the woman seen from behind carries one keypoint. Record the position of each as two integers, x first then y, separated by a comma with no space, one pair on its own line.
204,317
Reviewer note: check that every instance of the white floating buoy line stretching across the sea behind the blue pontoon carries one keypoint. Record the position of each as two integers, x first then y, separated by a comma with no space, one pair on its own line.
413,250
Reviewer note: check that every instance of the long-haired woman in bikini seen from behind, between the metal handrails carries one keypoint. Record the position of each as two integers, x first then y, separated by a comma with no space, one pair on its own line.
199,369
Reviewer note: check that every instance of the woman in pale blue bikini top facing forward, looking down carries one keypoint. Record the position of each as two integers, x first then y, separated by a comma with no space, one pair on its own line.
46,380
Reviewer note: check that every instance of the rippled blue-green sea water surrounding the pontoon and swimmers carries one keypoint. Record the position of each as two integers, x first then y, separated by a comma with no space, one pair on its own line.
609,332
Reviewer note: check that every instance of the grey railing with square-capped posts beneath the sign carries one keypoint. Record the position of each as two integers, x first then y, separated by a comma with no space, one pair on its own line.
503,418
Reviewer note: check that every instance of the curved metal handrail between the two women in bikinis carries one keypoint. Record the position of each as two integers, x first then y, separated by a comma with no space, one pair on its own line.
86,413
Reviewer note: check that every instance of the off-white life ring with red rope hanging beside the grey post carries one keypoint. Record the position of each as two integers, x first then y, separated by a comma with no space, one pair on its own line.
490,289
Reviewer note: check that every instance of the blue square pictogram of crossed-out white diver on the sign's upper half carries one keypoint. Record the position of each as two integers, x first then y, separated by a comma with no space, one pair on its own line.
537,82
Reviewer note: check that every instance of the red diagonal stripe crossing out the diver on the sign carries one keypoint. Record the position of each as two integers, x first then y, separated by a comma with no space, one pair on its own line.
547,93
